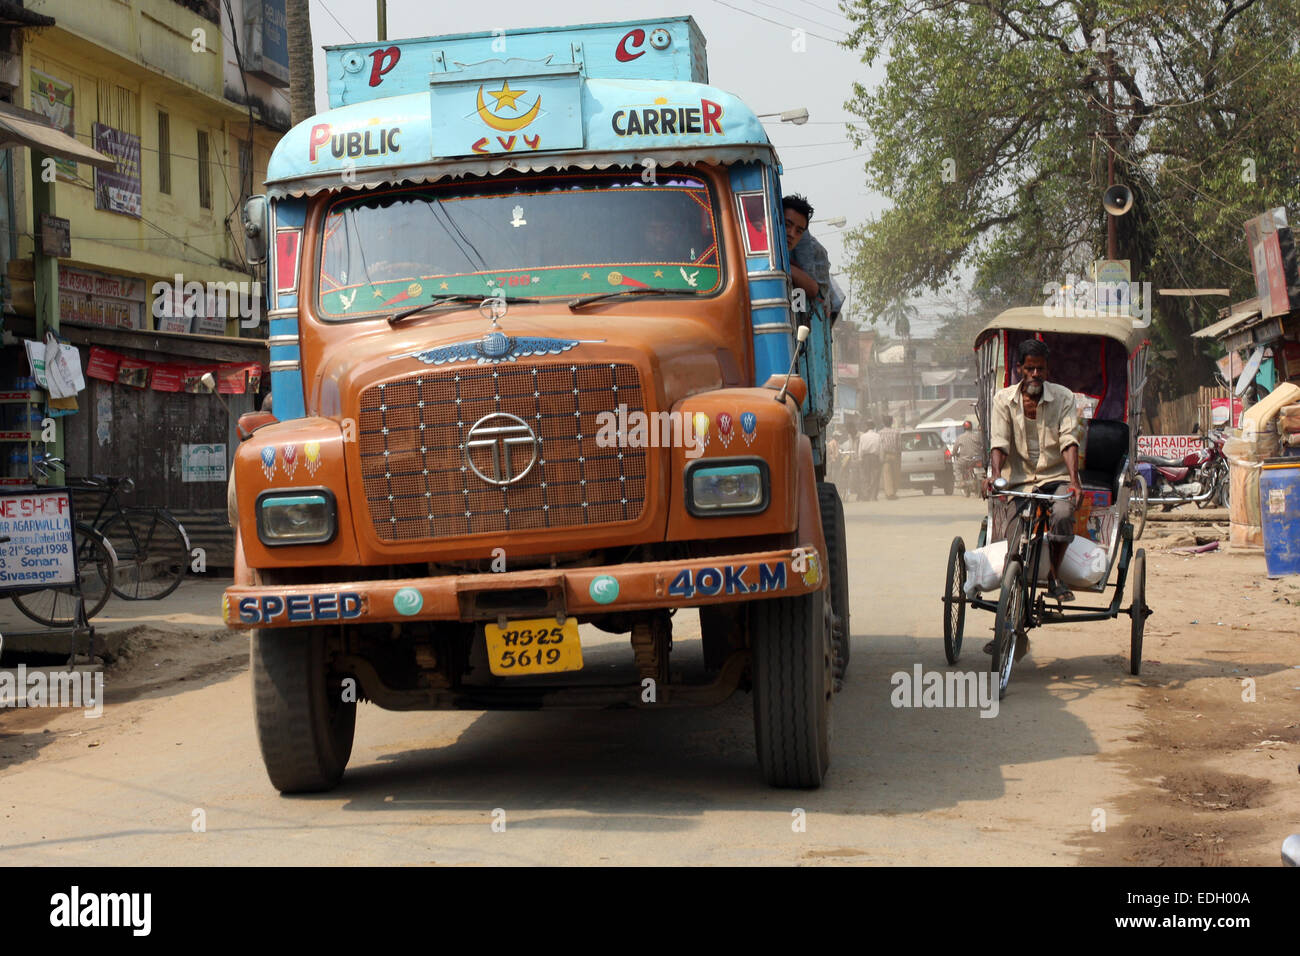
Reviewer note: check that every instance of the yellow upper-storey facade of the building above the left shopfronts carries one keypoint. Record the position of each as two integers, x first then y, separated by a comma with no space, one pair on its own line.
148,81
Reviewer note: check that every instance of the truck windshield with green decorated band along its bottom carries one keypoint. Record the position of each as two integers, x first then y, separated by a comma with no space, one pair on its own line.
535,237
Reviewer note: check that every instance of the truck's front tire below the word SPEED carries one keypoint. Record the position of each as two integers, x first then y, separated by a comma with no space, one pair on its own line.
305,726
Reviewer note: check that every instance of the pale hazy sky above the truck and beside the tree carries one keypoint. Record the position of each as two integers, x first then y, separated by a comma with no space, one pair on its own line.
748,57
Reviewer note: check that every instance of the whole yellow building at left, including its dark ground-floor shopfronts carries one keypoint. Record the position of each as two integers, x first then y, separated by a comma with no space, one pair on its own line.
189,101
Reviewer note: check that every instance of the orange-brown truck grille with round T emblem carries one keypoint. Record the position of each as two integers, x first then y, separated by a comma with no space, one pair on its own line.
421,485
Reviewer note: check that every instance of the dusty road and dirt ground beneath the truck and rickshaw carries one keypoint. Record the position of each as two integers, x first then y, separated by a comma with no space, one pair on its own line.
1176,765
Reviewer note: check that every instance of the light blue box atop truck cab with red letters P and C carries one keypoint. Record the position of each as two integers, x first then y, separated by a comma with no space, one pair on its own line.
671,49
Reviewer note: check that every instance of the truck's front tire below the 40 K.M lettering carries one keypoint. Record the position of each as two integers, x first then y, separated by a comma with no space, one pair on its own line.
794,686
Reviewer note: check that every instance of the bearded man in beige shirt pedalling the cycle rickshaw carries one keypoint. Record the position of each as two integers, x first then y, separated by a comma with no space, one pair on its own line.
1034,447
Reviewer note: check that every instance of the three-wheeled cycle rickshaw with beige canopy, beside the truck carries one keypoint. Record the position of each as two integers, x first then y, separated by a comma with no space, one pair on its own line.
1103,360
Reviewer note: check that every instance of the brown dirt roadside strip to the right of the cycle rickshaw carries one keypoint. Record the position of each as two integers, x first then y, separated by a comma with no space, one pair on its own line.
1215,762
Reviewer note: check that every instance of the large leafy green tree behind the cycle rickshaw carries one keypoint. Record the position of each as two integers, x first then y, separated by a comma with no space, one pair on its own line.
987,127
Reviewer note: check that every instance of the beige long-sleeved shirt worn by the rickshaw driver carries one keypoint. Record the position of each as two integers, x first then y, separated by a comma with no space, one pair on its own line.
1058,430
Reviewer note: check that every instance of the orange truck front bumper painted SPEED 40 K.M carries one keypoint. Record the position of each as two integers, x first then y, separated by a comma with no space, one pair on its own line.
534,594
